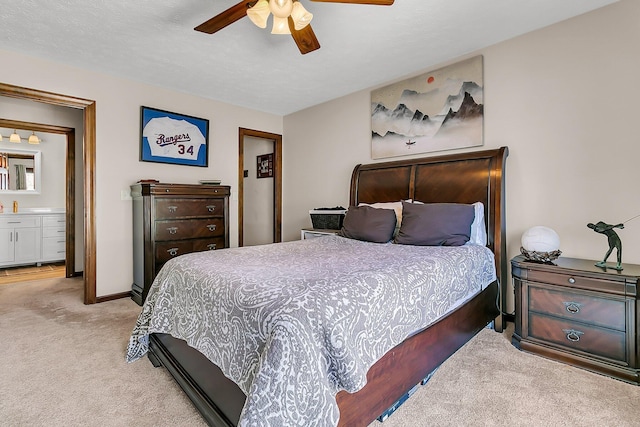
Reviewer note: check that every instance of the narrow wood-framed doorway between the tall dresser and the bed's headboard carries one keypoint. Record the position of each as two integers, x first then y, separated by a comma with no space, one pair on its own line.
271,144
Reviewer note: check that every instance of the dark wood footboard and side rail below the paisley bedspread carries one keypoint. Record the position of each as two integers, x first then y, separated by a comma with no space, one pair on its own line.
220,401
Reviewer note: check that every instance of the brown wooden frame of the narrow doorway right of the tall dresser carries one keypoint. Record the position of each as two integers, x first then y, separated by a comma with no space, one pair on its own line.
277,183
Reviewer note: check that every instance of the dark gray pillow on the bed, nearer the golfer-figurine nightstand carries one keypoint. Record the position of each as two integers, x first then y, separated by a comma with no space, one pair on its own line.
435,224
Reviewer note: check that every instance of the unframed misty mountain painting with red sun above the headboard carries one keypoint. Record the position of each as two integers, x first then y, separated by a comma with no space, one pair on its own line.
439,110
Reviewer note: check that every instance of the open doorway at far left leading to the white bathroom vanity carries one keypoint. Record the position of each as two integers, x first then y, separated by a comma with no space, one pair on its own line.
48,252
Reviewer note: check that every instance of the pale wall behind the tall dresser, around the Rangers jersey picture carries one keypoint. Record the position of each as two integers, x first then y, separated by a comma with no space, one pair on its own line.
118,104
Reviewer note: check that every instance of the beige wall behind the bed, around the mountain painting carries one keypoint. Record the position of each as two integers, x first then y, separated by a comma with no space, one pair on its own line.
563,99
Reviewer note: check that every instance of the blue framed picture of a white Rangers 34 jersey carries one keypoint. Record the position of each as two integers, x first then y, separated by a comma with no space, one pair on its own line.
174,138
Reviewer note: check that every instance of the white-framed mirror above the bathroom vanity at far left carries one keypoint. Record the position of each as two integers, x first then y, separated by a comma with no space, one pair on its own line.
20,171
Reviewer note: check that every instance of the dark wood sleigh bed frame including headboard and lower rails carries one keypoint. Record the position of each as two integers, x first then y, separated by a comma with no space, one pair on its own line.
458,178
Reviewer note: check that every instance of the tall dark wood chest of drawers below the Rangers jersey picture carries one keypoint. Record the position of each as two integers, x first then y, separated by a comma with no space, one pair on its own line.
171,220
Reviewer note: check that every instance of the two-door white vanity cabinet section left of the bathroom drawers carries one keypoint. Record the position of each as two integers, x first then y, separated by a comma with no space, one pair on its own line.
20,239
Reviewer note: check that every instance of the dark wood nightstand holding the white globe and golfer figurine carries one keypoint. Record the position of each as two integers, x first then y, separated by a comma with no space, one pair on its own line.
580,314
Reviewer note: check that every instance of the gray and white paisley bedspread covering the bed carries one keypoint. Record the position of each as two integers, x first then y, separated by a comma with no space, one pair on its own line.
294,323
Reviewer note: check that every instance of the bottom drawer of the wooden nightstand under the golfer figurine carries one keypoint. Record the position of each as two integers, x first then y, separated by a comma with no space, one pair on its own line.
576,336
